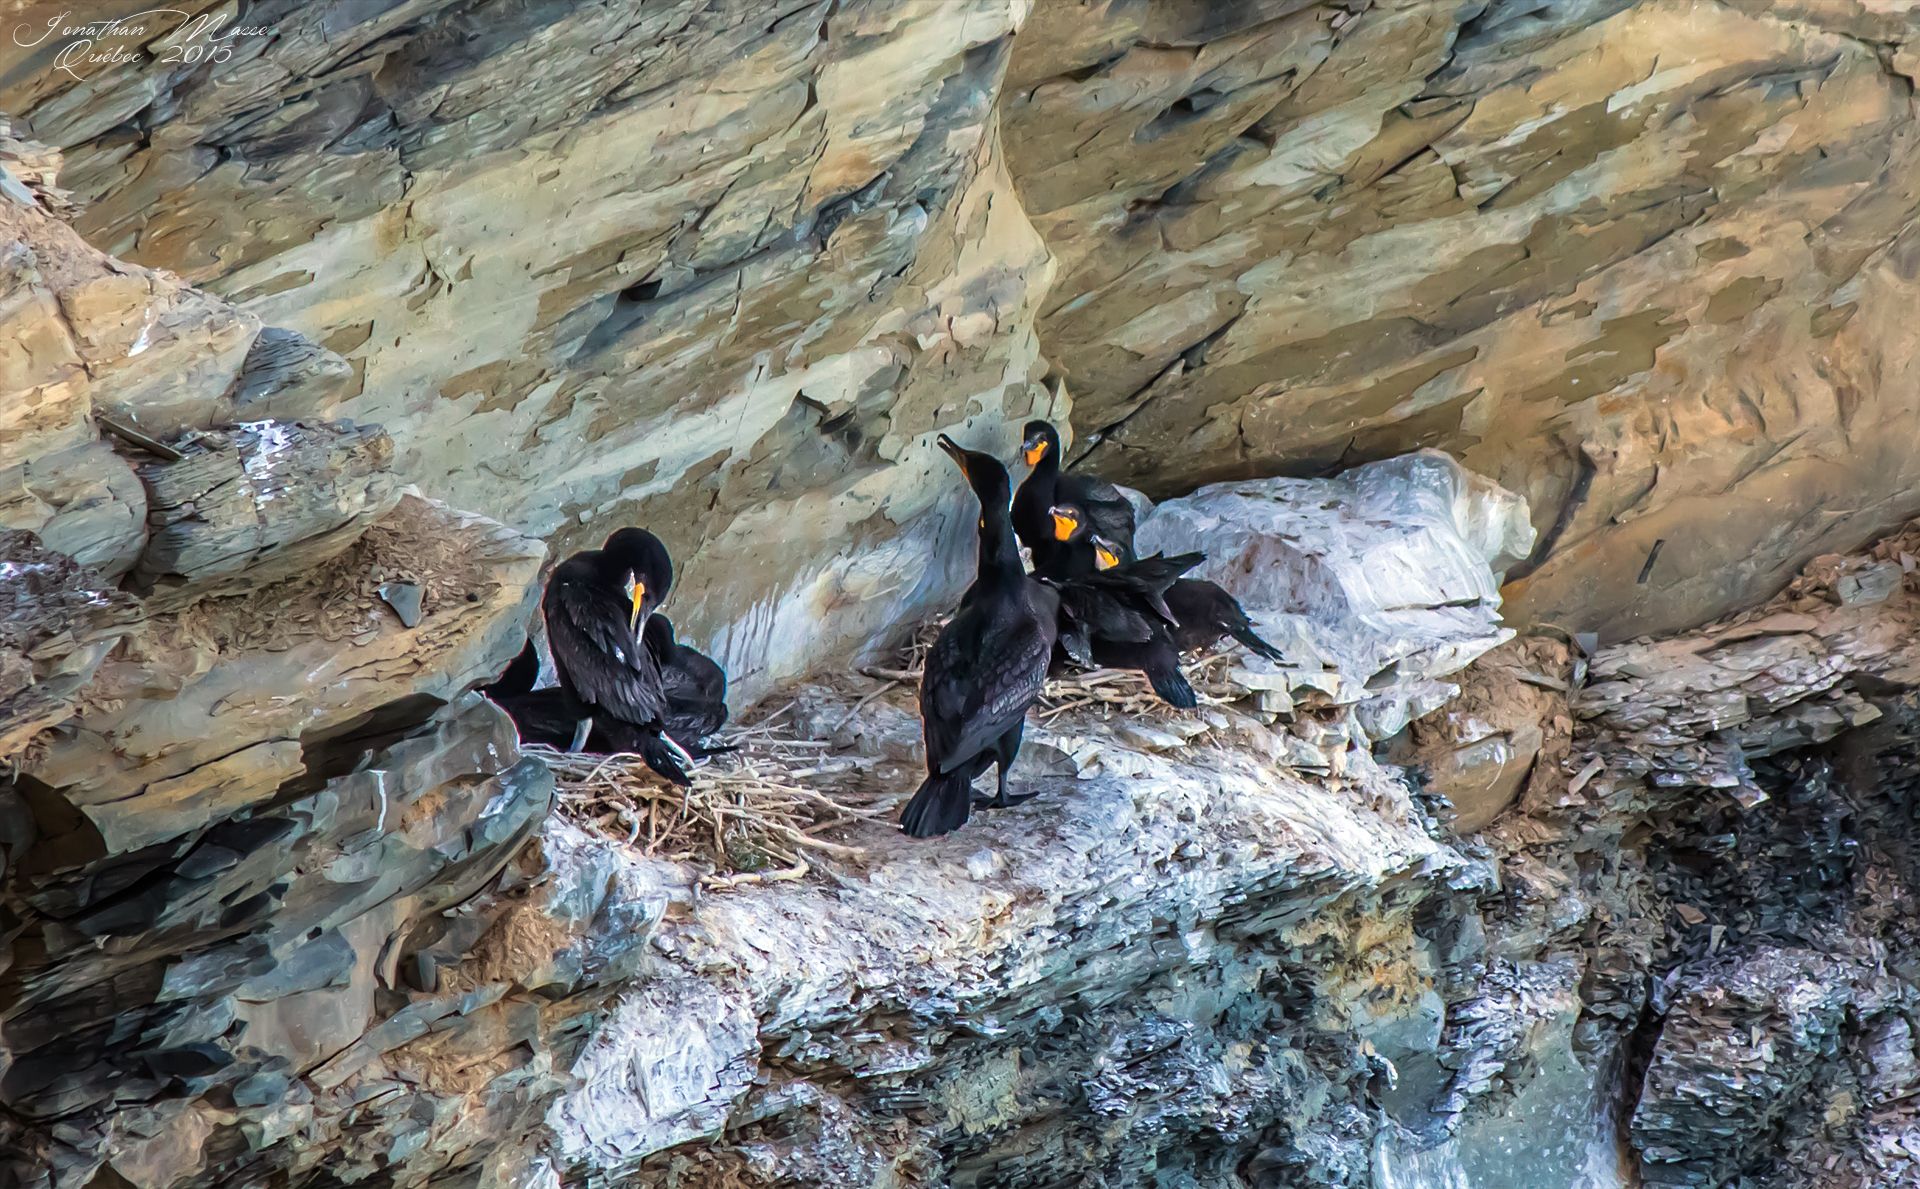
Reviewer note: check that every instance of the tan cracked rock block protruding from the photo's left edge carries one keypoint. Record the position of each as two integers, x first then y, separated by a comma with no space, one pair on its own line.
99,354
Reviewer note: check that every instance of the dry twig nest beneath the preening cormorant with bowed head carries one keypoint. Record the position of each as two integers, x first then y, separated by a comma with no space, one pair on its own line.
756,815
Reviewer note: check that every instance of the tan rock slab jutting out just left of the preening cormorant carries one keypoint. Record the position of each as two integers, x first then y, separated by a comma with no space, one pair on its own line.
222,704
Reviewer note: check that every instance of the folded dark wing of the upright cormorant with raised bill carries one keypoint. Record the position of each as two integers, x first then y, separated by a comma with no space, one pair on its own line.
980,683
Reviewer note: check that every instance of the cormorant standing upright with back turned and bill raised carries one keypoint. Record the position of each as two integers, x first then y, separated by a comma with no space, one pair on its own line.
986,667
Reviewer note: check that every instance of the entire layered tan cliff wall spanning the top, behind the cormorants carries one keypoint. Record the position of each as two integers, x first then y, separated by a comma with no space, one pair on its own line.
725,268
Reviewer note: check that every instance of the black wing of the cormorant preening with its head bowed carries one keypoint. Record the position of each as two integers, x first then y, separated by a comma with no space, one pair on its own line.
596,654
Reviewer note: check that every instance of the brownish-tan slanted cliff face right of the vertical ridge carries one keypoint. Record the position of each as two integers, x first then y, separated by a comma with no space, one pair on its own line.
1666,301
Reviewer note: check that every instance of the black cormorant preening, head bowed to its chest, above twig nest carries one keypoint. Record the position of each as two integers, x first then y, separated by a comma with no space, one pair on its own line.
594,606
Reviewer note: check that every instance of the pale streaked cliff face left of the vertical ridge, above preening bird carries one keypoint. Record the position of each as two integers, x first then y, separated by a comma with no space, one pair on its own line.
796,256
